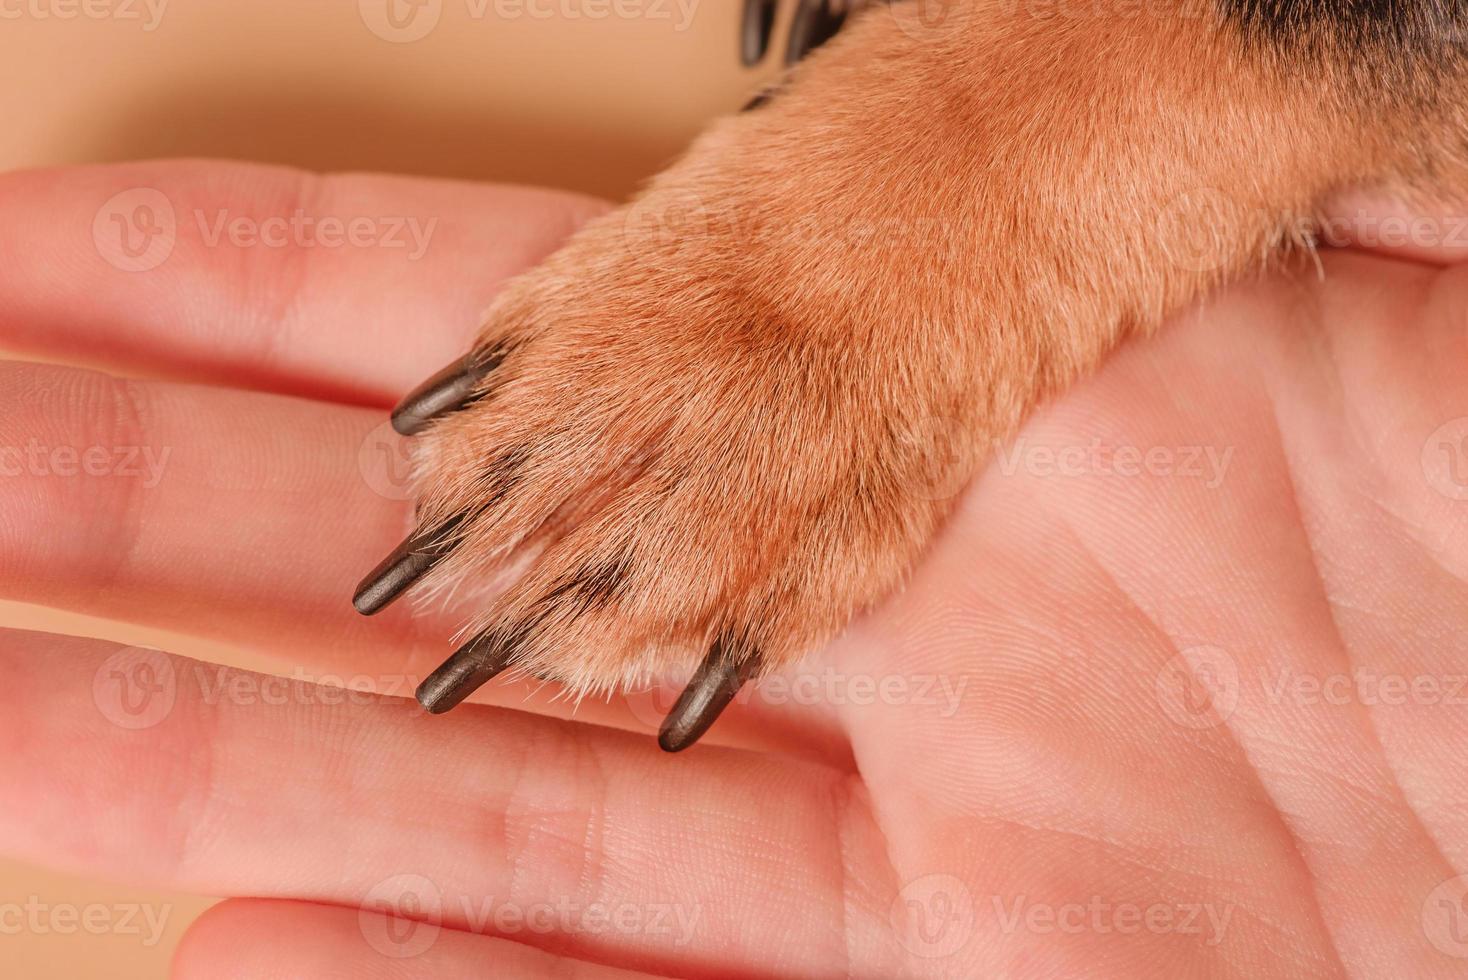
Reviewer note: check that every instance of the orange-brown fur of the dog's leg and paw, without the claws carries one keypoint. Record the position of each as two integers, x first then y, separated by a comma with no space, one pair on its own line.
729,407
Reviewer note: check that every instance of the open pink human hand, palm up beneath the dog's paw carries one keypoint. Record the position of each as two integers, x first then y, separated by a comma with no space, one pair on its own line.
1078,811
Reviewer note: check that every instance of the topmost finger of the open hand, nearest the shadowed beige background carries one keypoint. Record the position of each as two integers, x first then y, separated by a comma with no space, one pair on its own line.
344,287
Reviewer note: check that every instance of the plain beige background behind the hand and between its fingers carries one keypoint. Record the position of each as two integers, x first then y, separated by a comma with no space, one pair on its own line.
584,95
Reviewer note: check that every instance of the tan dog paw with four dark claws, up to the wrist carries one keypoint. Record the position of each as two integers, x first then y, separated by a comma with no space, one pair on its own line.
661,451
